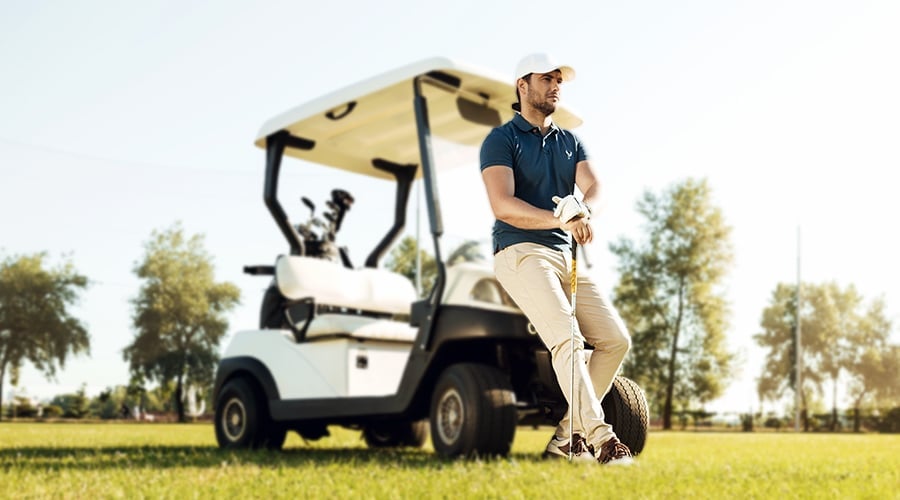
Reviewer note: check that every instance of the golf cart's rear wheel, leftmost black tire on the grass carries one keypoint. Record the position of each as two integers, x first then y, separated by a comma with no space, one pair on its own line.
242,420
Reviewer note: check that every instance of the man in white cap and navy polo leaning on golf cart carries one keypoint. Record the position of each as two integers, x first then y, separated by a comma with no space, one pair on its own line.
530,169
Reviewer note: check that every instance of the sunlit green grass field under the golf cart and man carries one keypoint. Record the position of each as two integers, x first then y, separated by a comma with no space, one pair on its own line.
87,460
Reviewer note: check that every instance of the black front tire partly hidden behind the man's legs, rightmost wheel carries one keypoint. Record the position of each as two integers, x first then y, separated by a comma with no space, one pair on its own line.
625,409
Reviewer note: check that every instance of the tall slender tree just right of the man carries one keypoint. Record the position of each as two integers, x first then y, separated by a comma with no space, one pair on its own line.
669,295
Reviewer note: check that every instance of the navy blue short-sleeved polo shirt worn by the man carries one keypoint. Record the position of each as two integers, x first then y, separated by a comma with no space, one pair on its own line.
543,167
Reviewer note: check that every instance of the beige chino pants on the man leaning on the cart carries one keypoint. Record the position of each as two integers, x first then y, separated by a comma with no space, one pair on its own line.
537,279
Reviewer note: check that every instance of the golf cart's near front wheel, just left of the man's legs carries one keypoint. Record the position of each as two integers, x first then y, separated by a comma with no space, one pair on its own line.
473,412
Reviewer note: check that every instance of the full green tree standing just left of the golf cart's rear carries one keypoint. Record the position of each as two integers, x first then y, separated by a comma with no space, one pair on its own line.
179,314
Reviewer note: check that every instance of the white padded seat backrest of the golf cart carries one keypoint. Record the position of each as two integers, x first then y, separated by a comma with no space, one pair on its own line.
330,283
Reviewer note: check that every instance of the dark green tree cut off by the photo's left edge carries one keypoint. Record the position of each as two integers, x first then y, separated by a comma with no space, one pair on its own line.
35,324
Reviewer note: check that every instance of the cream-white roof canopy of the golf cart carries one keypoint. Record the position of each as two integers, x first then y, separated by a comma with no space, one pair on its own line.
376,119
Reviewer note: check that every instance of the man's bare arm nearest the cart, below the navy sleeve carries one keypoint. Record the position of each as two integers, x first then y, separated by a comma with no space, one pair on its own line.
500,184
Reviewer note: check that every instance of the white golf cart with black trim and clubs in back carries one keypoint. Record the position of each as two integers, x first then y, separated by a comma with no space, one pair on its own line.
356,346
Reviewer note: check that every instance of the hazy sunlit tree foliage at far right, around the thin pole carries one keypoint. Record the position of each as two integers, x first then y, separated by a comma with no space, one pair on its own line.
841,340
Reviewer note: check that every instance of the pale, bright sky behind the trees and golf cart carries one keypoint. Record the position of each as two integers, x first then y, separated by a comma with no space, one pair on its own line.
121,118
